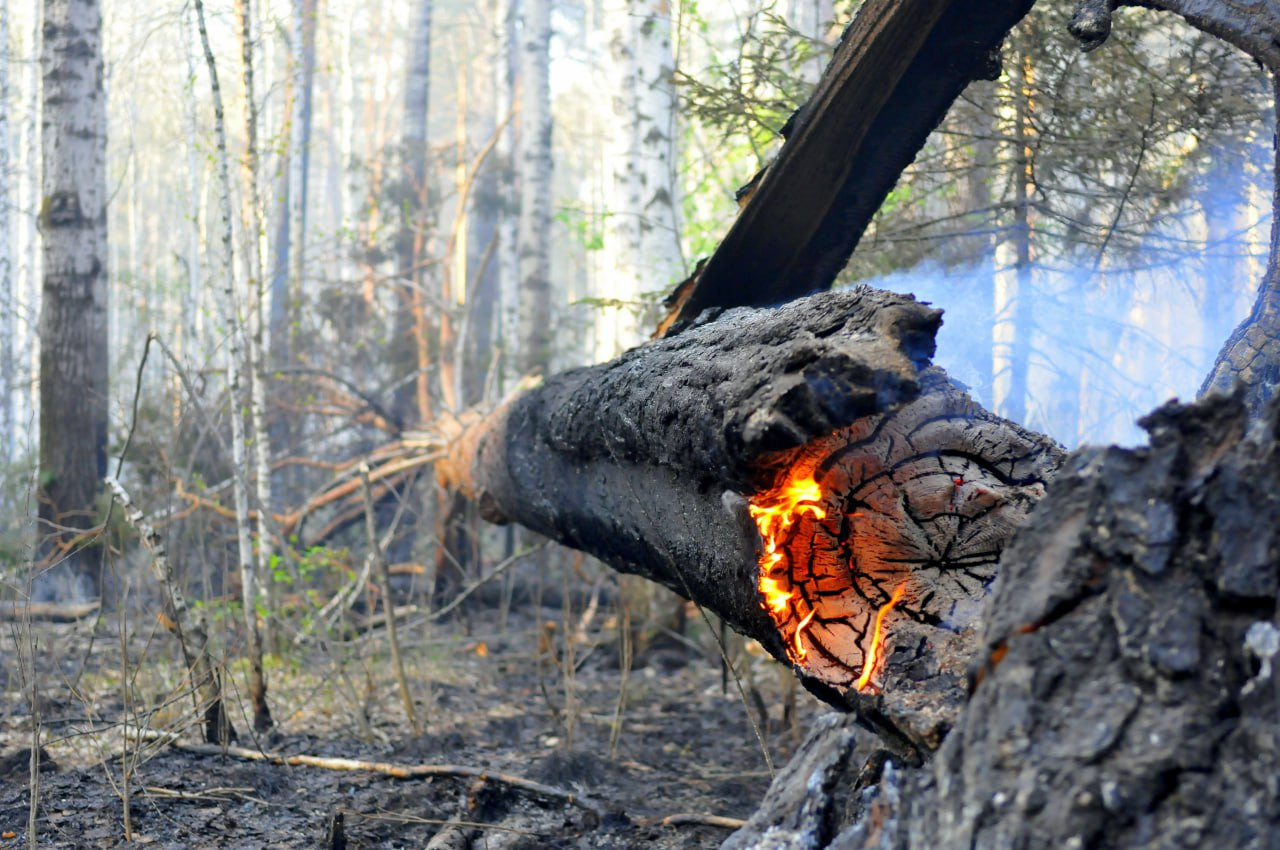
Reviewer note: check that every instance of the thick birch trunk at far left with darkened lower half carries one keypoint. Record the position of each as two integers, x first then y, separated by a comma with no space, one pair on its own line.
74,333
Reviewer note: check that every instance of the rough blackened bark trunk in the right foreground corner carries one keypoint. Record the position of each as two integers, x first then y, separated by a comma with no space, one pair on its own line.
1128,691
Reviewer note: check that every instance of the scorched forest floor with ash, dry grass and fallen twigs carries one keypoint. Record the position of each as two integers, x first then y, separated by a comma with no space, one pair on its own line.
488,697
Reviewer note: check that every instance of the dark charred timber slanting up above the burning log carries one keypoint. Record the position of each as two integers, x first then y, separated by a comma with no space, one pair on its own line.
895,75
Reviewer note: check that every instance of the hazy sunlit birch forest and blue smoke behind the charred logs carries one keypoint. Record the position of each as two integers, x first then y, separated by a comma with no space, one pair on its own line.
426,204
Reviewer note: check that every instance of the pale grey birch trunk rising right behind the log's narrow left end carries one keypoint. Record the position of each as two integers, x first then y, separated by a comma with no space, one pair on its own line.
536,214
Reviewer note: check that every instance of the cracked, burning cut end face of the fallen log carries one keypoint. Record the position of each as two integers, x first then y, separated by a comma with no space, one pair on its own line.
897,518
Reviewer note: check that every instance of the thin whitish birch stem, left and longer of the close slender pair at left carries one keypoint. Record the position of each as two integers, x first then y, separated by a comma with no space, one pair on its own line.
235,332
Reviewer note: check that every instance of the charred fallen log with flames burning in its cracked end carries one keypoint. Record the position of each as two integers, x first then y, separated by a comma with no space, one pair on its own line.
650,463
